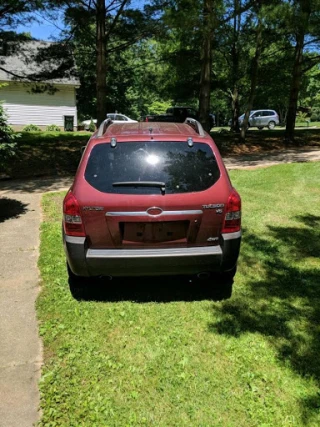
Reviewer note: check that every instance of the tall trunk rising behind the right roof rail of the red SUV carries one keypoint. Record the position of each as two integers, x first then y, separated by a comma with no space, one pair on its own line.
206,62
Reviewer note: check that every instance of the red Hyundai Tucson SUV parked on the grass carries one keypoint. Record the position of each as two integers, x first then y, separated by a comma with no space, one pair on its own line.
152,199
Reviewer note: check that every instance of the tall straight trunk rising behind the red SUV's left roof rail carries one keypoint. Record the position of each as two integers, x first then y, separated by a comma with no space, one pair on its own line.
101,84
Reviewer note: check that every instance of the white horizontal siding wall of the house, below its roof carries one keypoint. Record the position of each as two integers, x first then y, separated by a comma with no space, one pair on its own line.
42,109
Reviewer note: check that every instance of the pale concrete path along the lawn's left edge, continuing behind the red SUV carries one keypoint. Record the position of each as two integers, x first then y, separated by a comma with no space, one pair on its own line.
21,350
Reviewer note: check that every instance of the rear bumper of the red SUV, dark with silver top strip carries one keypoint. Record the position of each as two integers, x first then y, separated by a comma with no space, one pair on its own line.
151,262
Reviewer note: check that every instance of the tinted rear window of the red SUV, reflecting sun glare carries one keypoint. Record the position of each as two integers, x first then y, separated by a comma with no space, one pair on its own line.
152,168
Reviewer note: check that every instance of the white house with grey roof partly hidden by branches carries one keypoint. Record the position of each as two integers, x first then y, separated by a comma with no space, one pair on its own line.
22,105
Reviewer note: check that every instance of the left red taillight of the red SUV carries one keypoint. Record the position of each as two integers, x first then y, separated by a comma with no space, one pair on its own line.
72,221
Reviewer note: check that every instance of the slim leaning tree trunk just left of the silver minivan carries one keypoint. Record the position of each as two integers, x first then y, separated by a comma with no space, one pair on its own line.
254,79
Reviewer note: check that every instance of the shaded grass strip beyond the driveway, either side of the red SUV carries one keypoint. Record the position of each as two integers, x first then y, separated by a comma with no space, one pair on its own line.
41,154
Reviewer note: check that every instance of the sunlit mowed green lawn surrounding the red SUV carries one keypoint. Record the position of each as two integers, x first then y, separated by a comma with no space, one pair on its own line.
167,353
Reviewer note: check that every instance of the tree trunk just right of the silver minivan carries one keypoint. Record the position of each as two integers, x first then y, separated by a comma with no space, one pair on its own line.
297,69
